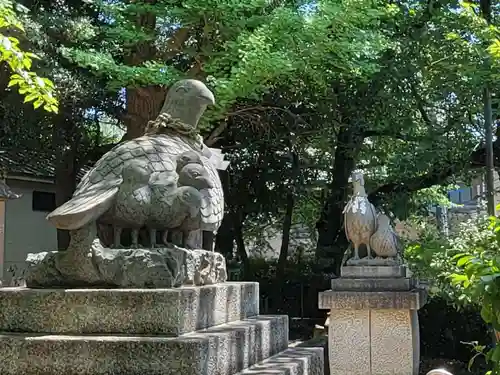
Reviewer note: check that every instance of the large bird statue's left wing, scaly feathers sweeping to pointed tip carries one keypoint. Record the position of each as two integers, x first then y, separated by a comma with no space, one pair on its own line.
96,191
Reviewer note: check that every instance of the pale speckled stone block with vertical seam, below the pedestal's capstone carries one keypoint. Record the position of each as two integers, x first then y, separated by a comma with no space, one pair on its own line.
373,342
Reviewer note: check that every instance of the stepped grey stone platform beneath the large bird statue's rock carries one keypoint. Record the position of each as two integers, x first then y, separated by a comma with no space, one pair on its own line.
207,330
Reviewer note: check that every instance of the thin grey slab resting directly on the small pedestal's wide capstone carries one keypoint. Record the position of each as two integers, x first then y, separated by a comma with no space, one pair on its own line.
371,285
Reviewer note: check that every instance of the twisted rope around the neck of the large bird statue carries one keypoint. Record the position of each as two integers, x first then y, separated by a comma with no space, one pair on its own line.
166,124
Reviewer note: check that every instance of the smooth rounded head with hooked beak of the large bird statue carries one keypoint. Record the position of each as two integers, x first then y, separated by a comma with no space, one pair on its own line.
187,100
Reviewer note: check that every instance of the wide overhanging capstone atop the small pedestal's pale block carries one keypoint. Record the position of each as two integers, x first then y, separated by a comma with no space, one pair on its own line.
351,300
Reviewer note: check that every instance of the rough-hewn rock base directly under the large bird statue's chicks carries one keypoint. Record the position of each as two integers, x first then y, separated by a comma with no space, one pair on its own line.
125,268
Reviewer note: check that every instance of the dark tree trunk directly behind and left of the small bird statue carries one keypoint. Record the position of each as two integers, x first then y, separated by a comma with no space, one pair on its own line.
332,242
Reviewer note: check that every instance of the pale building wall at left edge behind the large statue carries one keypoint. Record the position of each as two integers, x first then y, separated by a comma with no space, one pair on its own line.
26,231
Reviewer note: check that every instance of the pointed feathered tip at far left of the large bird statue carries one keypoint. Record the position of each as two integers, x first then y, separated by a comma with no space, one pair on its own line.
82,209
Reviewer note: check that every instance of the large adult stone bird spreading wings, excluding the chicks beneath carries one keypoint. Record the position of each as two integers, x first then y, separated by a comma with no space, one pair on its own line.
171,134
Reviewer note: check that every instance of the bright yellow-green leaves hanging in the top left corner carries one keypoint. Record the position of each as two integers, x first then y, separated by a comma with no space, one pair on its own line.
35,89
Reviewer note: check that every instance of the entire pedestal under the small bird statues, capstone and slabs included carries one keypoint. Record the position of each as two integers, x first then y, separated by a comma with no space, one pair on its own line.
373,326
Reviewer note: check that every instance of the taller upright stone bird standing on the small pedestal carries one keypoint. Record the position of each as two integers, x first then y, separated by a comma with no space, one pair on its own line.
359,216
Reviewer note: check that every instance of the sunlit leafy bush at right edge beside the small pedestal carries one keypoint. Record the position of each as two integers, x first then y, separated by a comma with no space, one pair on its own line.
465,270
